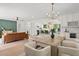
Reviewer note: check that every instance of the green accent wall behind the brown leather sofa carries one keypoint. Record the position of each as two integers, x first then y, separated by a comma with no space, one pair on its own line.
8,25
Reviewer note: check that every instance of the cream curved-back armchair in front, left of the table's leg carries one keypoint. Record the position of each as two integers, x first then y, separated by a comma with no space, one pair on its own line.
30,50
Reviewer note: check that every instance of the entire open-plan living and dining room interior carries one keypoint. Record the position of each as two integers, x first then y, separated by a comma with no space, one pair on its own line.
52,29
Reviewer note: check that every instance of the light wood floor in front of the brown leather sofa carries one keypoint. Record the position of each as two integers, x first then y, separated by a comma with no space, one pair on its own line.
13,49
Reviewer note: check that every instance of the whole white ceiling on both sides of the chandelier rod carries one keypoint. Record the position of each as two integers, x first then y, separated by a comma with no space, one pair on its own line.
36,9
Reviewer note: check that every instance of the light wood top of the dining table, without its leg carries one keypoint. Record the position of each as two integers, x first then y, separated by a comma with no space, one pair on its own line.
48,40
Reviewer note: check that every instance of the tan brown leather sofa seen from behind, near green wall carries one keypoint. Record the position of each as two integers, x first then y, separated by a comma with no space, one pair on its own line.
15,36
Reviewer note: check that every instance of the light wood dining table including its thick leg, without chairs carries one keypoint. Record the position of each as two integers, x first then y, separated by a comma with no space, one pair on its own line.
47,40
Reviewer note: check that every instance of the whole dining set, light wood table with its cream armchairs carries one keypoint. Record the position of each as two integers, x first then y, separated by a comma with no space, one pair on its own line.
44,45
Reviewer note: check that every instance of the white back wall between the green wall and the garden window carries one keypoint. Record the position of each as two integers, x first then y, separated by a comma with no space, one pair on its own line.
31,24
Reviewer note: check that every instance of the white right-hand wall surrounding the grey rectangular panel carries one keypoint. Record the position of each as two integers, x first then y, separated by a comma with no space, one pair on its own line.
67,18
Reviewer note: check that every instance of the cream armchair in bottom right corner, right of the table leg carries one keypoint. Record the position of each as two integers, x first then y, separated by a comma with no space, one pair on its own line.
68,51
